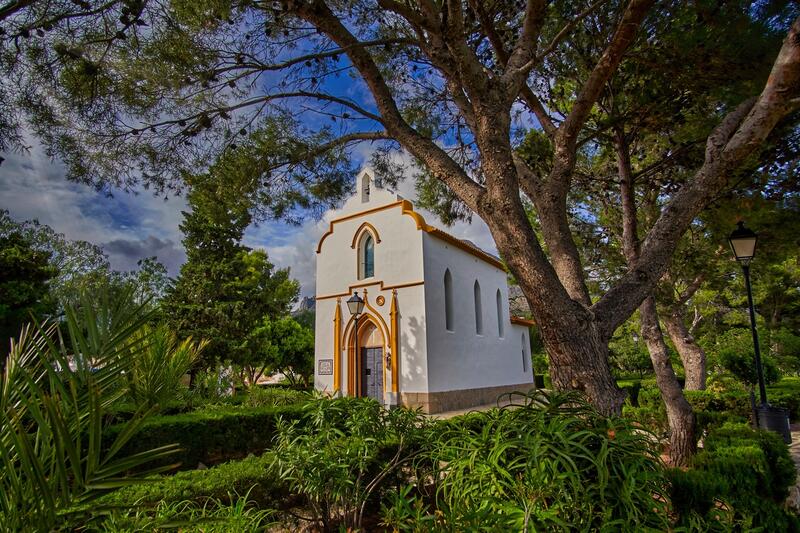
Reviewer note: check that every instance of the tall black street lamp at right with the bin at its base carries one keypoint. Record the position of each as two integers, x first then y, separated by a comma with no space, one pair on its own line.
743,243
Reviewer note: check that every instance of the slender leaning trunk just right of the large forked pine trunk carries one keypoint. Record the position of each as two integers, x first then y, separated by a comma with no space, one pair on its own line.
682,442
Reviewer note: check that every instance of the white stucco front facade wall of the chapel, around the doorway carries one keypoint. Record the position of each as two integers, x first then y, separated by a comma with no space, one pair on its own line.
398,261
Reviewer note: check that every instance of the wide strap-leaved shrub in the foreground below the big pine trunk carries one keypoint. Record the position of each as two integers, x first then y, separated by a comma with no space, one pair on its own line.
548,463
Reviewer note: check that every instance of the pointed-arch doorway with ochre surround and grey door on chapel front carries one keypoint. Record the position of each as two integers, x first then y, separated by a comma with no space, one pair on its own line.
365,375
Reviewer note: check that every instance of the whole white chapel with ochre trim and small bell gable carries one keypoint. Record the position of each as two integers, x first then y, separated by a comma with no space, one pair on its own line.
435,331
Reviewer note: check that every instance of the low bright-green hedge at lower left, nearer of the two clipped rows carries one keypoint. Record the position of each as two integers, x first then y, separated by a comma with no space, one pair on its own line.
222,482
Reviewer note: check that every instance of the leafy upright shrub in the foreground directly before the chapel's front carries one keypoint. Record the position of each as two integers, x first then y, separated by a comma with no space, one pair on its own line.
348,451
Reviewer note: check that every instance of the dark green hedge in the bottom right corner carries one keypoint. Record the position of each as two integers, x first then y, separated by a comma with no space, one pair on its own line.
749,471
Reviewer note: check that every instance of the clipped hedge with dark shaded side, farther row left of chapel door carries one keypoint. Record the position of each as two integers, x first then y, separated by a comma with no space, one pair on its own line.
209,436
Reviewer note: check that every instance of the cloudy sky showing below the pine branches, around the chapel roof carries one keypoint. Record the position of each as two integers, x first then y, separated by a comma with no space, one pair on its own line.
130,226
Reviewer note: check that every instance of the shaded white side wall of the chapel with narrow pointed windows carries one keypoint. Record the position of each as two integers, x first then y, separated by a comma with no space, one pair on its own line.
462,359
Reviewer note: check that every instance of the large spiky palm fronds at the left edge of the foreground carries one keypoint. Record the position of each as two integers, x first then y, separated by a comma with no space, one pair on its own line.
54,391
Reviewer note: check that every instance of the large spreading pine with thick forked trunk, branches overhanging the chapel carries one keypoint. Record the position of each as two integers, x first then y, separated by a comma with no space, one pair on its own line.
141,92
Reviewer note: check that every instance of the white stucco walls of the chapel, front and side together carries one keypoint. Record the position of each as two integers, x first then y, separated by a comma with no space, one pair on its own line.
431,358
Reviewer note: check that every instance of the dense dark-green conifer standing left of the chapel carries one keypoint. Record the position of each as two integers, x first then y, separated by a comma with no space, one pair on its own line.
224,289
